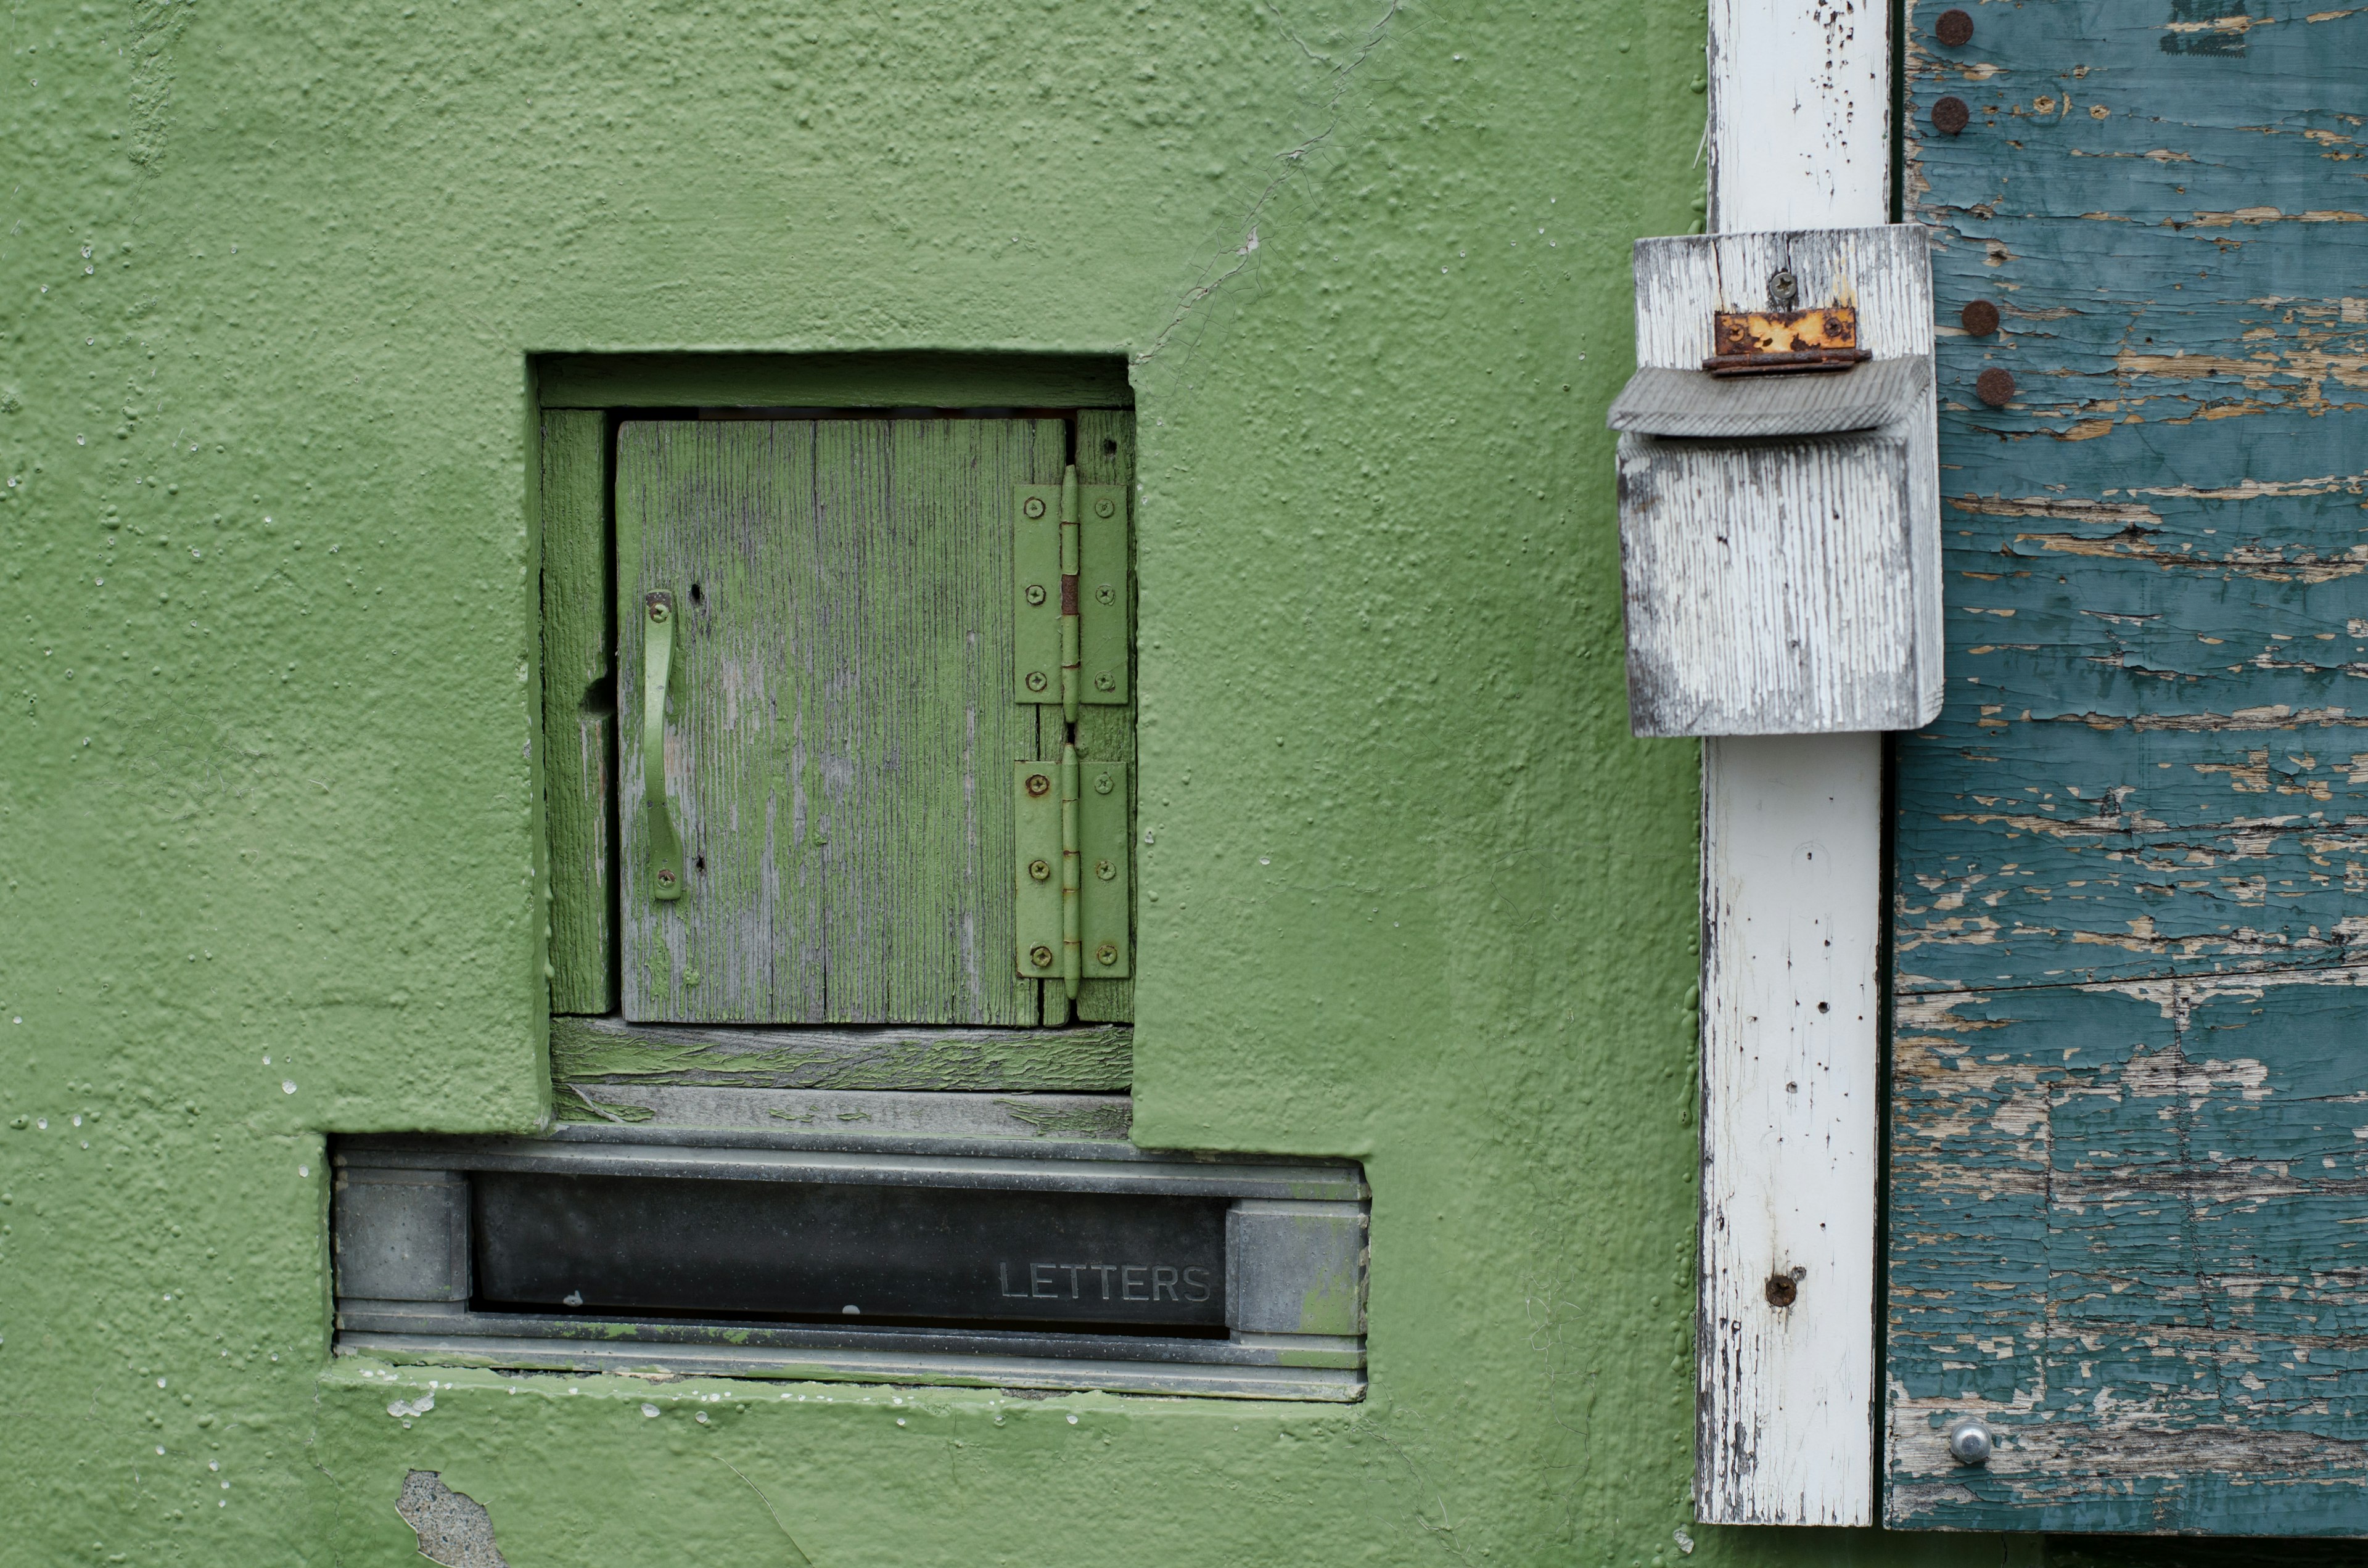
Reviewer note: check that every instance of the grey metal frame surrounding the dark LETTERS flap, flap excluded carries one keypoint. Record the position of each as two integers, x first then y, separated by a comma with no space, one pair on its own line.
1294,1268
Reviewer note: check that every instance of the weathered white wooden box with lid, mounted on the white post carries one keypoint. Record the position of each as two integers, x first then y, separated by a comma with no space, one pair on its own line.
1780,534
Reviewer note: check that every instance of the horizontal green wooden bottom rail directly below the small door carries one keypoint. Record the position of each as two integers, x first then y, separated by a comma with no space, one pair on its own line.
939,1060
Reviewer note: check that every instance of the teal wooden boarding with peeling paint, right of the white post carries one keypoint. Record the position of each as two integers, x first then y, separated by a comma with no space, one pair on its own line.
2130,1024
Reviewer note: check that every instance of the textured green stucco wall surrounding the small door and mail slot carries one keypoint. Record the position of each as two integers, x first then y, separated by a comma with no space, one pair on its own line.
271,281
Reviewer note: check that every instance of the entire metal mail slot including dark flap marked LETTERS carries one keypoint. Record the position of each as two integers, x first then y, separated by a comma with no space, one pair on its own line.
1045,1268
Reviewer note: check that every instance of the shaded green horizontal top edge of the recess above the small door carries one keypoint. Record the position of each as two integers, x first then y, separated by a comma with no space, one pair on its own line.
832,380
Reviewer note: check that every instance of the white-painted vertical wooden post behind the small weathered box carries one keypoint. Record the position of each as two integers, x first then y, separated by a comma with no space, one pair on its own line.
1791,901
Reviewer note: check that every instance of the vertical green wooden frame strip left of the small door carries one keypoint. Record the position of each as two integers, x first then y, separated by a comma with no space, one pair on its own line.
579,709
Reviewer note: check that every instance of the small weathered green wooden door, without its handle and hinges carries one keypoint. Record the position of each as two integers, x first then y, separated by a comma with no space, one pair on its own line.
842,721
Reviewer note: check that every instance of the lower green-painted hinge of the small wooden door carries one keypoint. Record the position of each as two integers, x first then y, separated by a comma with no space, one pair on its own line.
1072,870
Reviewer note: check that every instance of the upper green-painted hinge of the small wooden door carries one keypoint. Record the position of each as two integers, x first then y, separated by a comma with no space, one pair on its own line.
1072,612
